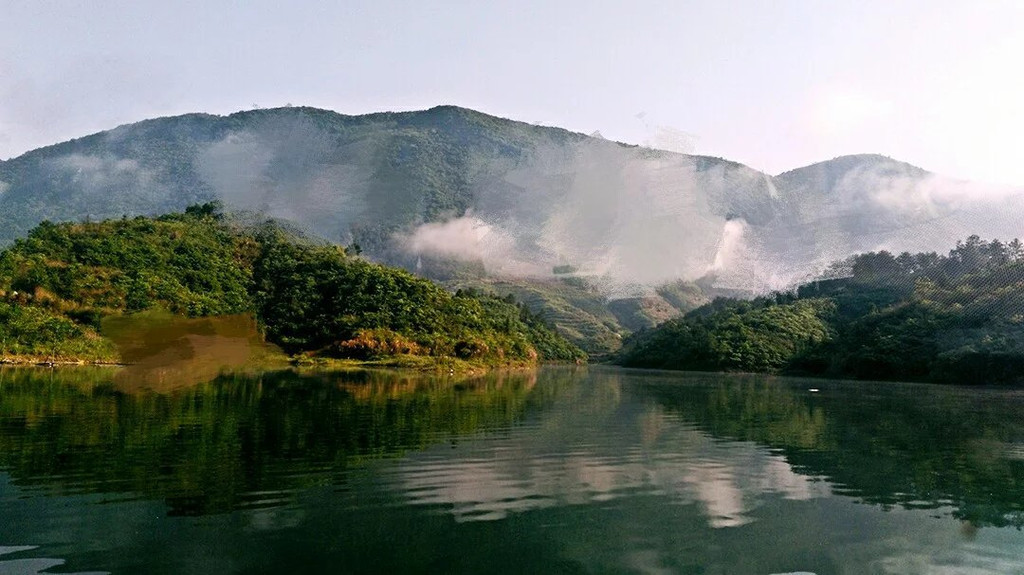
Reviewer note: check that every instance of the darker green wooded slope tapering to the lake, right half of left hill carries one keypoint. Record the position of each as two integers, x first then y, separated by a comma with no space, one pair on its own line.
312,296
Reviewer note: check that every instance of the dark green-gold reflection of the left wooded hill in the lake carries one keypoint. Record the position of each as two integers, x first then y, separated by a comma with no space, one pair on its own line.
237,441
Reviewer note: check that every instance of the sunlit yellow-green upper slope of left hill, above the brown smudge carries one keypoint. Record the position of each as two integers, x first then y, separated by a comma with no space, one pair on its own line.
189,264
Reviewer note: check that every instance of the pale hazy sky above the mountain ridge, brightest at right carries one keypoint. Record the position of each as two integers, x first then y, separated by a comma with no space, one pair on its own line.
774,84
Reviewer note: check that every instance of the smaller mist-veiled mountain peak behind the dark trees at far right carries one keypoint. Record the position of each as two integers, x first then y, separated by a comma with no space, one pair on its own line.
866,203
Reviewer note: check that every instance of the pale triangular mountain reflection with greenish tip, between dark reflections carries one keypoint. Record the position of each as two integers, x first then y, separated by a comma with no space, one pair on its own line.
596,445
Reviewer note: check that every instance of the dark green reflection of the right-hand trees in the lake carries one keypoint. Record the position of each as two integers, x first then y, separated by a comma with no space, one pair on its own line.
913,447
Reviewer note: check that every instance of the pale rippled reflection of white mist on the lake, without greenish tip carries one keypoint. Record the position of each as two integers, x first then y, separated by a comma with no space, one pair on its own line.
726,480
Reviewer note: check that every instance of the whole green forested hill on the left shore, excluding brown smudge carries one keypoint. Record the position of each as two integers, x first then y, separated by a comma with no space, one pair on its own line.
59,285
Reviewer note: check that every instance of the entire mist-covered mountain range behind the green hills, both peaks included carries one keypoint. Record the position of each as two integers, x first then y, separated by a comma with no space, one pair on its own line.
451,188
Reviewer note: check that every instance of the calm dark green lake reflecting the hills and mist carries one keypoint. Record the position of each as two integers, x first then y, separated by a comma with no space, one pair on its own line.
564,470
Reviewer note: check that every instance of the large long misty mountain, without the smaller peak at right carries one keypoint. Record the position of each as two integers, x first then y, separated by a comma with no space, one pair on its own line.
408,188
